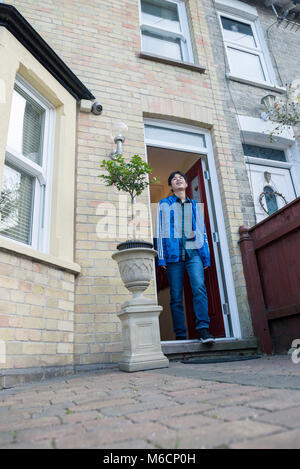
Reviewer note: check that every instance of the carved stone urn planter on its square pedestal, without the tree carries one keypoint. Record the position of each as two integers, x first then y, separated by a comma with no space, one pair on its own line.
139,315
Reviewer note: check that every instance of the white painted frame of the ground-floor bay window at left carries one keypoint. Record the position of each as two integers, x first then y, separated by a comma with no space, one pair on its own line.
43,174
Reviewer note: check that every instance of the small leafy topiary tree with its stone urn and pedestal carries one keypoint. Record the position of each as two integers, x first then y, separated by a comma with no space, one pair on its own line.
135,258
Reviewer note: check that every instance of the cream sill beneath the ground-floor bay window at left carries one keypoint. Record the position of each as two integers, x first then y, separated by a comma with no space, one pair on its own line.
26,251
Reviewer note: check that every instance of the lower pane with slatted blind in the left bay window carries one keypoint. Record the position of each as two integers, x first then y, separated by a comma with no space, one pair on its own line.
16,204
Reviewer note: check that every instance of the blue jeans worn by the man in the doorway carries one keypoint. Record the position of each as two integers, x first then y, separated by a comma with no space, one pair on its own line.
175,273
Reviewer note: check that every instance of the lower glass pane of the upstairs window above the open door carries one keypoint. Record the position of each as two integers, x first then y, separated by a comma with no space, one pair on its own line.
167,47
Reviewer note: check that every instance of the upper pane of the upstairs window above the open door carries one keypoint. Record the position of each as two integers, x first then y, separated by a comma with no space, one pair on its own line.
164,15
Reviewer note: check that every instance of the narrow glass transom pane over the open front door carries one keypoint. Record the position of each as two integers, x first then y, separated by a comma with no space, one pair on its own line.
171,136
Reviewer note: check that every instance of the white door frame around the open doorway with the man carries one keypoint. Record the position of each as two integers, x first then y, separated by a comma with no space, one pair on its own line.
214,200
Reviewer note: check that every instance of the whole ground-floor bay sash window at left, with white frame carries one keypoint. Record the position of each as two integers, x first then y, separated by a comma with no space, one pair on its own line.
25,196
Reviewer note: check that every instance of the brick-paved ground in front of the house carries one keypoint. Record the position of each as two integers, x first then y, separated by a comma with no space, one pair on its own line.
245,404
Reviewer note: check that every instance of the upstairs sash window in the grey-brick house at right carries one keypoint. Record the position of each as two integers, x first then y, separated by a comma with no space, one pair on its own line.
245,50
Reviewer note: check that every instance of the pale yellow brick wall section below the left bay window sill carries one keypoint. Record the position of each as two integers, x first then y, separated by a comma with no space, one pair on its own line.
36,313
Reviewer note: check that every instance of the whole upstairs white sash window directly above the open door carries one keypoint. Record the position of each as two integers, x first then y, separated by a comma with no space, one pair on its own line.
164,29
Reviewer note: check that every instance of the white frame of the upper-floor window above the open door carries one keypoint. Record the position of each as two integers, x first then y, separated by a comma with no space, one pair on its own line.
184,36
